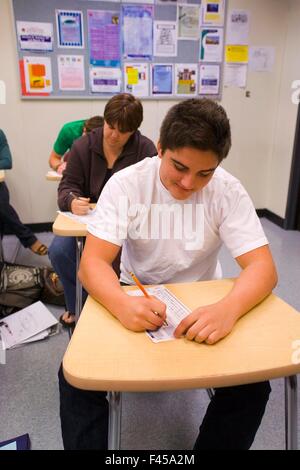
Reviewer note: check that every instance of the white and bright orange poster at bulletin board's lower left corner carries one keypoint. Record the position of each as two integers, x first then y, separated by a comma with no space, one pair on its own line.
37,76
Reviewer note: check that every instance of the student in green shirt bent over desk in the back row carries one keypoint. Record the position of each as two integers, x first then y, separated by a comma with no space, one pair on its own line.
68,133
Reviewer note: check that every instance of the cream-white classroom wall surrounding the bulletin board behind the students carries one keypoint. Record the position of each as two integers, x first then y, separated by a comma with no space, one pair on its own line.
260,131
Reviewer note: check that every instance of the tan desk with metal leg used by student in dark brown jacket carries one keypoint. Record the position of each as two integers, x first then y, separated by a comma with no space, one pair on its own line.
65,227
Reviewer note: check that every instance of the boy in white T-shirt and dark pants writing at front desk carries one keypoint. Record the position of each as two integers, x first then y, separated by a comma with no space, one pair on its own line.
185,176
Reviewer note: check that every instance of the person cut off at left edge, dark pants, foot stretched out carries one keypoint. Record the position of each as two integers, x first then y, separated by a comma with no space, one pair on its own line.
8,216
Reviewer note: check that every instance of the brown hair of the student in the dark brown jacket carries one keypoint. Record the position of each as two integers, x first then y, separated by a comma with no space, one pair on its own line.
125,112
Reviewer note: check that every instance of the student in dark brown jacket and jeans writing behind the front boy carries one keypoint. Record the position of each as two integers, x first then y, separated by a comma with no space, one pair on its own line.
93,159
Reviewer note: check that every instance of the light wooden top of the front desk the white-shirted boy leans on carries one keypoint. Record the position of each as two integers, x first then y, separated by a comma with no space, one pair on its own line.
103,355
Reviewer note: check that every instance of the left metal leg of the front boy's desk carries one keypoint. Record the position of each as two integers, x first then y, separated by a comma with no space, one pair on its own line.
114,425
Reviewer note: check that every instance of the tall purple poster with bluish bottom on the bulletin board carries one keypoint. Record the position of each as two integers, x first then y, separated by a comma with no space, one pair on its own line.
104,38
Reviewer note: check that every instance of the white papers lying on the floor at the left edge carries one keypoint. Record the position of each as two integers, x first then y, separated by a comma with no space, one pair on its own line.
29,324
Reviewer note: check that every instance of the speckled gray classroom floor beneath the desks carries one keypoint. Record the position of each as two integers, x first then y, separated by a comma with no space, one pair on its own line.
28,385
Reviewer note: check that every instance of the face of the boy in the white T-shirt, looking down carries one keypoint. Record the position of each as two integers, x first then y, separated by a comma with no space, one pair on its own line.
186,170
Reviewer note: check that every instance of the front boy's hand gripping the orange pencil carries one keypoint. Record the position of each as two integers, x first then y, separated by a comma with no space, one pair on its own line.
141,313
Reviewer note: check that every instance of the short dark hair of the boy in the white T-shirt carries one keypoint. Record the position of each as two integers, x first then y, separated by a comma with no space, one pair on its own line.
198,123
